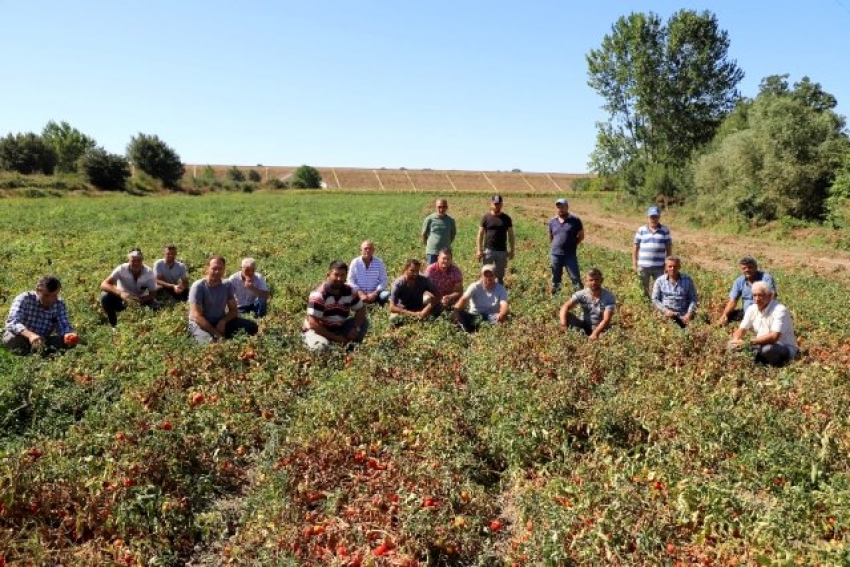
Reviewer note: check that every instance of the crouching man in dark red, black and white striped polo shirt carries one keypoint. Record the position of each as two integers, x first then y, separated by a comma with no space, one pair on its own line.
329,310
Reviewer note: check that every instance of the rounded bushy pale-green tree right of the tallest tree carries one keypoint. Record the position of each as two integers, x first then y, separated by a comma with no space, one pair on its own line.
781,157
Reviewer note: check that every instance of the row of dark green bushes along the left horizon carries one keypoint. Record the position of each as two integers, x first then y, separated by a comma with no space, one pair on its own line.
61,148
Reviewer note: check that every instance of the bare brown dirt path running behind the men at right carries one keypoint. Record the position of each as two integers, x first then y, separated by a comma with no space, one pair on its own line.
716,252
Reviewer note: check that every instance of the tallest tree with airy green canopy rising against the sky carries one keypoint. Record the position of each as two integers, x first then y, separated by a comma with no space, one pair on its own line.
666,88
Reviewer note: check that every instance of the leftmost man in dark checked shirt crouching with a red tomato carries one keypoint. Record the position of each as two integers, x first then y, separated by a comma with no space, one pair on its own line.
38,319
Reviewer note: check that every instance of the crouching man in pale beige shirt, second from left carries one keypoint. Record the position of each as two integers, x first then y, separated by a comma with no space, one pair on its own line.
132,281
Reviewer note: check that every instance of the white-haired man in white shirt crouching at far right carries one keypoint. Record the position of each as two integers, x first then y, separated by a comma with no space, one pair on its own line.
774,343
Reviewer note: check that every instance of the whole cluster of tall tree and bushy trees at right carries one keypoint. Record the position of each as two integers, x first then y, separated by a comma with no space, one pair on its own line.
678,129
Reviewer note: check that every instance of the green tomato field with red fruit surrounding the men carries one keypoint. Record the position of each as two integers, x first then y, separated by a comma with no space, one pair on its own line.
518,445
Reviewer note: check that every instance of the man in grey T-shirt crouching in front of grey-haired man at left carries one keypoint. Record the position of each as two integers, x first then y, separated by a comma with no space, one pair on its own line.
213,313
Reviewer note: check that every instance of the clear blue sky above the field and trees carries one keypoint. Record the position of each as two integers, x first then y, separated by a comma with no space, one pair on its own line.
459,84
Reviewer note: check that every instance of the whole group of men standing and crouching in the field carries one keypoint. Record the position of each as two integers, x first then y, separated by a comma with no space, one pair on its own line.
336,309
